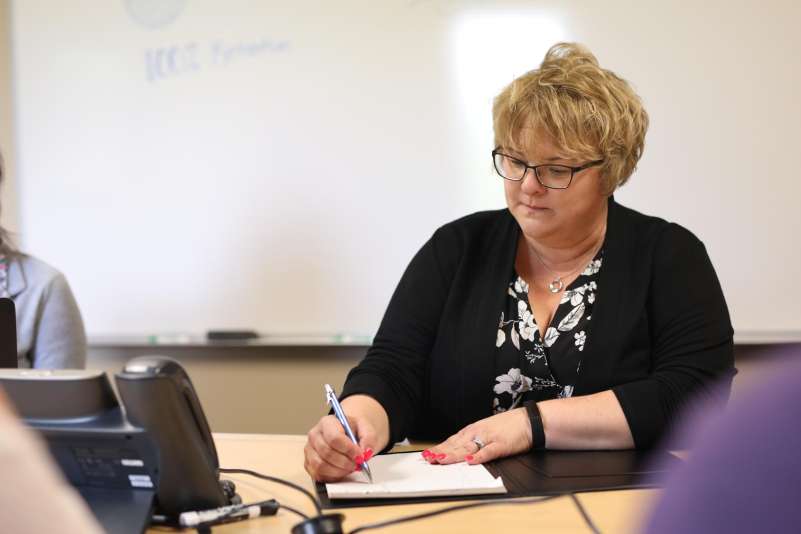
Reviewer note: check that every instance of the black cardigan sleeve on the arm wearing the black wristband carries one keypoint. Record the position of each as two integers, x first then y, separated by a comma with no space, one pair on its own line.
691,337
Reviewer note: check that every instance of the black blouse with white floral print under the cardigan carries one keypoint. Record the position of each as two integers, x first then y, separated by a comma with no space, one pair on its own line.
529,367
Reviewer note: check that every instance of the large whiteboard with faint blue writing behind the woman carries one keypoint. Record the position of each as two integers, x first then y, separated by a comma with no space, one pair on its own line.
275,164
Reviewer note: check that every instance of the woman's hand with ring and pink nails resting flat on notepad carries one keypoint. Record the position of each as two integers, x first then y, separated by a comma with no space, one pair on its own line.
502,435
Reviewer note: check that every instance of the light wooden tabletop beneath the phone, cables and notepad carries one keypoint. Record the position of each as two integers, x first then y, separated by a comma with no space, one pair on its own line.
282,456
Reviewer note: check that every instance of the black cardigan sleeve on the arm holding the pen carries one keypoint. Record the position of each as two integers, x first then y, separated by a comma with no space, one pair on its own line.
394,370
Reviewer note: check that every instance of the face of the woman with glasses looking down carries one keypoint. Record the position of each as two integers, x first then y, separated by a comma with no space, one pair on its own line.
558,216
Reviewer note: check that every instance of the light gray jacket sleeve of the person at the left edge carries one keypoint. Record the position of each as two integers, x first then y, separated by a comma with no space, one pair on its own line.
60,339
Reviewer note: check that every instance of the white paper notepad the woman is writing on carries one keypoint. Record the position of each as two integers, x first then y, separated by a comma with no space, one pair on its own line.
409,475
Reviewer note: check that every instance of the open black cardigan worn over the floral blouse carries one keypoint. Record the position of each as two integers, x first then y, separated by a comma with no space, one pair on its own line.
660,330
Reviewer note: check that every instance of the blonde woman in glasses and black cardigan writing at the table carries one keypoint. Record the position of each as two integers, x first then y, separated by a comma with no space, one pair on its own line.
566,321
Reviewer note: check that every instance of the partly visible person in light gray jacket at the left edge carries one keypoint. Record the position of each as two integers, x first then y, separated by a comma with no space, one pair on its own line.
50,333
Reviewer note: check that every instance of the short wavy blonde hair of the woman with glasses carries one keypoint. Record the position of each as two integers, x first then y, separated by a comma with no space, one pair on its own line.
589,112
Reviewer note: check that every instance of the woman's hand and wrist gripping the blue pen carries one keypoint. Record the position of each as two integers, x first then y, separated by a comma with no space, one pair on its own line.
330,455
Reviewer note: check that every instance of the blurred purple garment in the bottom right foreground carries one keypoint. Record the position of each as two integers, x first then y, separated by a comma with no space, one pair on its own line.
744,473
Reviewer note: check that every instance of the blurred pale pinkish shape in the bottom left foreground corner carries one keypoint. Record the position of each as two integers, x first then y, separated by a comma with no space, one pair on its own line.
34,496
